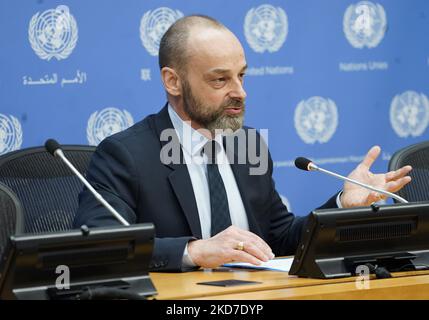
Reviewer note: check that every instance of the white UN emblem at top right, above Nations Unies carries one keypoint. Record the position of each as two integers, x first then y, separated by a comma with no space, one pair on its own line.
364,24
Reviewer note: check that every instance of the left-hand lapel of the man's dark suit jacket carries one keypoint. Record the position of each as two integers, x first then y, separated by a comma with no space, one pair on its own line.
179,177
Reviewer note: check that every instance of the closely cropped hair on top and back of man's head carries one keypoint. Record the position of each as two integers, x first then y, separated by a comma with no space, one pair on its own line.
175,49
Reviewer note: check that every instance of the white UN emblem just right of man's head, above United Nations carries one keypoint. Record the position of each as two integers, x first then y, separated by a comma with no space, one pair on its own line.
266,28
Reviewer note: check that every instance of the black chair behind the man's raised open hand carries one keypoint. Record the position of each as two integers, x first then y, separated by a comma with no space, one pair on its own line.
417,156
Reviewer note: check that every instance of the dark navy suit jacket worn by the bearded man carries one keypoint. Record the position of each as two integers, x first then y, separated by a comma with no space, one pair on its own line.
126,170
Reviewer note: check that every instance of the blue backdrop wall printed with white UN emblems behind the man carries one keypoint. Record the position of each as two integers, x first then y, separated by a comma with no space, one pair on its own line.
328,79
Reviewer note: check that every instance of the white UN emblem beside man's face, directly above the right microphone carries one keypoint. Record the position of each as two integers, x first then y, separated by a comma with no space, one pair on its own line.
316,120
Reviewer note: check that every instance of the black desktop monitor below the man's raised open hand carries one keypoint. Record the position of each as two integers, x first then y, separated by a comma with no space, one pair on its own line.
335,242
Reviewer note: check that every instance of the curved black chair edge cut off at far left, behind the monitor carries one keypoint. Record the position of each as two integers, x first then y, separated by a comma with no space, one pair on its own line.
11,219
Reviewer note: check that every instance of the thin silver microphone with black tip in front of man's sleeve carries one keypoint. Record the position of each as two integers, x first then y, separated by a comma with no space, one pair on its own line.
54,148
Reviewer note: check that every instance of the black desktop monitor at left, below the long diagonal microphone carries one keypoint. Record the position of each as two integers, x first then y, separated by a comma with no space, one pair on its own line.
64,265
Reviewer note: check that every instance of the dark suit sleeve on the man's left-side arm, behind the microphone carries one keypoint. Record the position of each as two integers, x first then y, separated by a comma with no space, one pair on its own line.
112,172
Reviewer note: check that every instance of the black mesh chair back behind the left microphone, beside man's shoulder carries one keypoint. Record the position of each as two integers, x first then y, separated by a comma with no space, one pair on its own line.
46,187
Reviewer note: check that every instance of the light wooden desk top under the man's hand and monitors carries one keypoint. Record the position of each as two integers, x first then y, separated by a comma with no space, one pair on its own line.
279,285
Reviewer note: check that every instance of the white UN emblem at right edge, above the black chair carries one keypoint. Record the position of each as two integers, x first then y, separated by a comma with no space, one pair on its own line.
409,114
